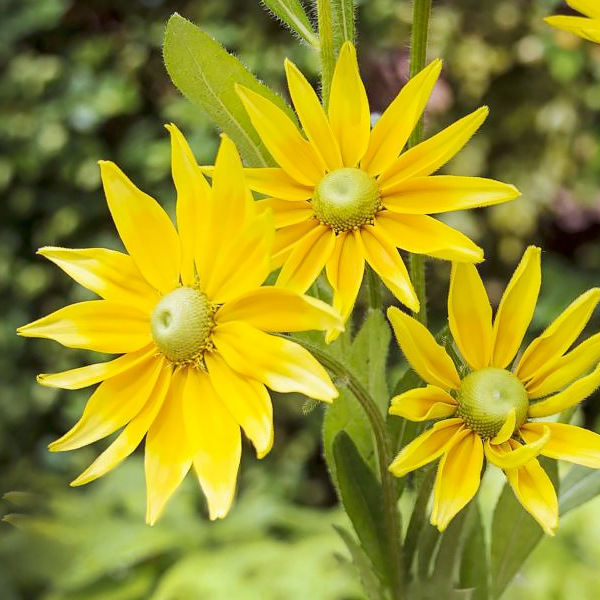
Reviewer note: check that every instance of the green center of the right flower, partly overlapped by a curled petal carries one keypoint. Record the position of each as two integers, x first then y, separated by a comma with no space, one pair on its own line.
486,397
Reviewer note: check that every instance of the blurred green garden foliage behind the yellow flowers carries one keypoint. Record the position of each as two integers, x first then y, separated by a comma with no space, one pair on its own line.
83,81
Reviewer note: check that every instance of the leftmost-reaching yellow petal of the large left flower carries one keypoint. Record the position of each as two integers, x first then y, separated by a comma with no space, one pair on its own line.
97,325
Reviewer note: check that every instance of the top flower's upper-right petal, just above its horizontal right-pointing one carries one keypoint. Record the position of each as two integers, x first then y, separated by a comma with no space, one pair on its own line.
428,156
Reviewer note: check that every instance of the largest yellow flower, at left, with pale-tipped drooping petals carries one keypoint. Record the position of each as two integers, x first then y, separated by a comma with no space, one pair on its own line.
186,311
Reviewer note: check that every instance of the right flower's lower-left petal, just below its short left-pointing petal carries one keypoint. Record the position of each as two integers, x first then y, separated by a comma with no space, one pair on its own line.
428,446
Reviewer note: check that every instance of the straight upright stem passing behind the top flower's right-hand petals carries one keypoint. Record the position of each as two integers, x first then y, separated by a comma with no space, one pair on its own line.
418,56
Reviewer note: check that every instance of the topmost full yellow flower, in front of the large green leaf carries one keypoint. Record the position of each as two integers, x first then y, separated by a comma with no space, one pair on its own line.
344,194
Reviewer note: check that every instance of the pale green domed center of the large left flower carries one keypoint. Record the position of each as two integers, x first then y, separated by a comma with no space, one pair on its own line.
181,324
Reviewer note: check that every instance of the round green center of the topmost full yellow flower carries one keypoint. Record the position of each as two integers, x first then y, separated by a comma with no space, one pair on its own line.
346,199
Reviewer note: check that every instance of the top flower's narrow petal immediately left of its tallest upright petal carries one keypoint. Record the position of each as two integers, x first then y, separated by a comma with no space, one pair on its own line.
312,117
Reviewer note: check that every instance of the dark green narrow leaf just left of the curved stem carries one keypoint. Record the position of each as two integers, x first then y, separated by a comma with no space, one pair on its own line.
362,498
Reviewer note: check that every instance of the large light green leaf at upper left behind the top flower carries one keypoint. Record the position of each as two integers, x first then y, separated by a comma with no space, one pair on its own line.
206,74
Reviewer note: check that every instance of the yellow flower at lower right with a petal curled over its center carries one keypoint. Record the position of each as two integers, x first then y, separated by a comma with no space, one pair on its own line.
493,410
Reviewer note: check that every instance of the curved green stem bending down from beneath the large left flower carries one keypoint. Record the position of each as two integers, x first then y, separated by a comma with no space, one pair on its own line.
384,458
